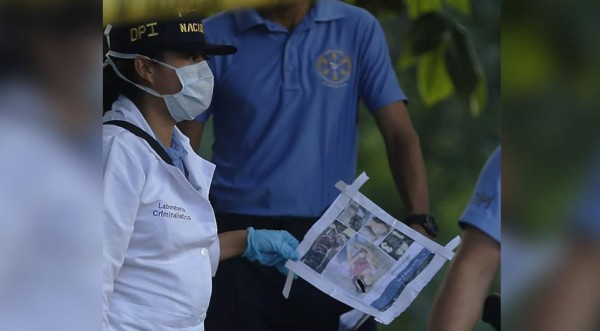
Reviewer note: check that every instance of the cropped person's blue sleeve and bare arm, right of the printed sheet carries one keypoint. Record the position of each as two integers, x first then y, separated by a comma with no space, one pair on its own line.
459,302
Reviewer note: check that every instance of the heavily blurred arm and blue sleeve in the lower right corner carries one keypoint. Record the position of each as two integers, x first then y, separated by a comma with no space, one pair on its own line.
569,295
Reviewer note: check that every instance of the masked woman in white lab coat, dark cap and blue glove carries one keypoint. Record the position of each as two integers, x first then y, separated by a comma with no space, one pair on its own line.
161,246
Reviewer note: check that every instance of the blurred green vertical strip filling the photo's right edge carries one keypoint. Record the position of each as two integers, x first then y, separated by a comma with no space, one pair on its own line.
551,168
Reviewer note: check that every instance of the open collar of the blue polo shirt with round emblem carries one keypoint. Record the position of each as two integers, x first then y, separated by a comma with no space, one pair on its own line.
321,11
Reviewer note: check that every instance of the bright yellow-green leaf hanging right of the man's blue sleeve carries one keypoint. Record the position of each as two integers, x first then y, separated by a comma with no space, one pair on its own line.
433,81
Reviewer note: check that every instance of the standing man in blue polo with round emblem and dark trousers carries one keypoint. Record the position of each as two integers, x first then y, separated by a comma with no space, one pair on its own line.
285,111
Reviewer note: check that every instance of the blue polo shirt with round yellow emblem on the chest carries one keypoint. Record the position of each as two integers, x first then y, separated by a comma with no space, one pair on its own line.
285,106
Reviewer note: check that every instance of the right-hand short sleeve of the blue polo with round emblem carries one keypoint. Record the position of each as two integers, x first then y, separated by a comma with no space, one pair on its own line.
378,84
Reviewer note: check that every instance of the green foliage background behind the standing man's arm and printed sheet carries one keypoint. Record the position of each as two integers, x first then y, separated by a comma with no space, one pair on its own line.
456,139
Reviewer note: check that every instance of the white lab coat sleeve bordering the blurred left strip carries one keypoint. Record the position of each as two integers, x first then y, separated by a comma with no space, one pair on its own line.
123,182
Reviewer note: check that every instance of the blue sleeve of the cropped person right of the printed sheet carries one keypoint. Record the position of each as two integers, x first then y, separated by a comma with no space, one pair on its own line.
484,211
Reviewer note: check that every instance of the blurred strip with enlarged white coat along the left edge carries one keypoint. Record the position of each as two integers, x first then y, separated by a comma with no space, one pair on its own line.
50,237
